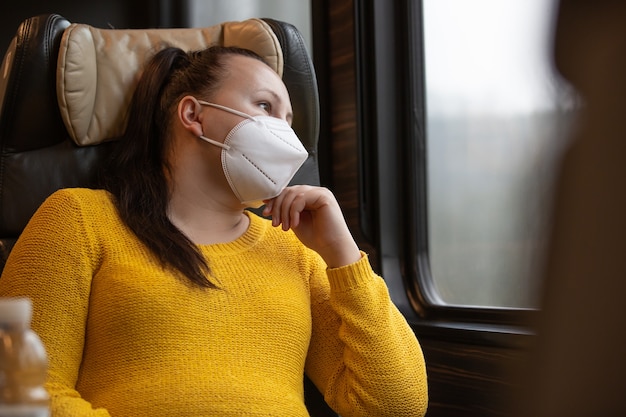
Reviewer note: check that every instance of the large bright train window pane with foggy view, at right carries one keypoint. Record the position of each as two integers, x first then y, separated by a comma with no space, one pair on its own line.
495,115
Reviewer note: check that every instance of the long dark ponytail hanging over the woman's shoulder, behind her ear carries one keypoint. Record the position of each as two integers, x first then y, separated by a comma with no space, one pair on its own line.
137,171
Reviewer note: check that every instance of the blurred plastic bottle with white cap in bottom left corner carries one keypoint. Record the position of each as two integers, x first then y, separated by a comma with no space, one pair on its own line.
23,362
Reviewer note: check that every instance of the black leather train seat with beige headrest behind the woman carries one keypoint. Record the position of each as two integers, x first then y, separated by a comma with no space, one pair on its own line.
63,93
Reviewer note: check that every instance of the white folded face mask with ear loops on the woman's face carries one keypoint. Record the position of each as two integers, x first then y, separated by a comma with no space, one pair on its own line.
260,156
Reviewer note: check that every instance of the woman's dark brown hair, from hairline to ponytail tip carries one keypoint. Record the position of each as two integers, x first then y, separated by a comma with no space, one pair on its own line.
136,174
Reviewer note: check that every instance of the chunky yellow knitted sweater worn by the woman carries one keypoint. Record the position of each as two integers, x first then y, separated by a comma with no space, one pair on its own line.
128,337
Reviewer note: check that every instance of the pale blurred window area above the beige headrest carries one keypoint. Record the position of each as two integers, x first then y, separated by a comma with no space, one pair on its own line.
297,12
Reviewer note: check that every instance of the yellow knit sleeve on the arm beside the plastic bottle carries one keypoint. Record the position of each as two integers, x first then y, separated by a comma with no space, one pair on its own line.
53,263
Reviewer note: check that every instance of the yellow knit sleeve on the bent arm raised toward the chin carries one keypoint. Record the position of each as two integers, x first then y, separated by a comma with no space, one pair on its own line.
363,356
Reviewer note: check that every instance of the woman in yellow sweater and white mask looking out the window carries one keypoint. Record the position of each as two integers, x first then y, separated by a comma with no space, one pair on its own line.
160,295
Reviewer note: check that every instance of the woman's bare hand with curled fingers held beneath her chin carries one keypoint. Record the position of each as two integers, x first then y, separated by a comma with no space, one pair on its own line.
316,218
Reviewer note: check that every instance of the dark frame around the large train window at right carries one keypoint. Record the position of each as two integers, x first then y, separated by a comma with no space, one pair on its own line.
392,140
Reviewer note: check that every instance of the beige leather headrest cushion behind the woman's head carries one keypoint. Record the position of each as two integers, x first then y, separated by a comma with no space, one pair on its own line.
98,68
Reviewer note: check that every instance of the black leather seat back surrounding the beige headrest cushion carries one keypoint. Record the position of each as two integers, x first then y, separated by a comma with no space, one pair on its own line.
37,156
